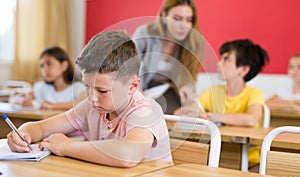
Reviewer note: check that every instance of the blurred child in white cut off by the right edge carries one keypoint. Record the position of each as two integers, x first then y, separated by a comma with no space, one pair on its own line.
287,97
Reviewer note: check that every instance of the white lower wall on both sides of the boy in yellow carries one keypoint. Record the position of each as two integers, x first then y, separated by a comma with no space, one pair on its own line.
268,83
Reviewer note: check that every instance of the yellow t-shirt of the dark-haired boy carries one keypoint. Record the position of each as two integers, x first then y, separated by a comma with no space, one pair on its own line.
214,99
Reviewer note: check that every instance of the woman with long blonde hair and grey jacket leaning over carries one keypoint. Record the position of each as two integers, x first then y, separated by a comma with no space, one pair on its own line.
170,50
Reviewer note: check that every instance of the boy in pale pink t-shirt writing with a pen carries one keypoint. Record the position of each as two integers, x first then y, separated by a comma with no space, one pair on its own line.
121,126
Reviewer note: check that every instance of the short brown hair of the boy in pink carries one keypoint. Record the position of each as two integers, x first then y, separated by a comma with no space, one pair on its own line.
110,52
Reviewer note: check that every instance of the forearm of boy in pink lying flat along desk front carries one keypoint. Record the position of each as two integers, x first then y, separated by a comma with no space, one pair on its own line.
117,153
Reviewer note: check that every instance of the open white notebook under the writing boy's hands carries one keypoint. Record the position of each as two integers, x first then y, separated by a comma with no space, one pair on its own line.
35,155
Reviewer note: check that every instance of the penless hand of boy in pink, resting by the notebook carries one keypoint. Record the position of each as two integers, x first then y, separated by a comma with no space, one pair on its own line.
56,143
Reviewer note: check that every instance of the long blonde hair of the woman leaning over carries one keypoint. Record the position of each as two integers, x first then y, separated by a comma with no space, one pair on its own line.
191,48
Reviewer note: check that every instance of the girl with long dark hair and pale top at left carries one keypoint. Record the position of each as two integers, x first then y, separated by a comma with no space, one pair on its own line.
59,89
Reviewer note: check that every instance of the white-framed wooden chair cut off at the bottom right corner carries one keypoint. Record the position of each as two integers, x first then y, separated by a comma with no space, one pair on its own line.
279,163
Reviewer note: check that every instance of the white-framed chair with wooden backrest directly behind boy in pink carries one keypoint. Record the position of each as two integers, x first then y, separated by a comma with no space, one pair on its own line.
193,152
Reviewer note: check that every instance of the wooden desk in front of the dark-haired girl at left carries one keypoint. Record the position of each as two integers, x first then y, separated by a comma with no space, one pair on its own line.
19,116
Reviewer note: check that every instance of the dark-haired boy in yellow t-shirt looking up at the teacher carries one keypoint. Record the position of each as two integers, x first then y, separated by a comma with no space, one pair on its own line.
235,103
